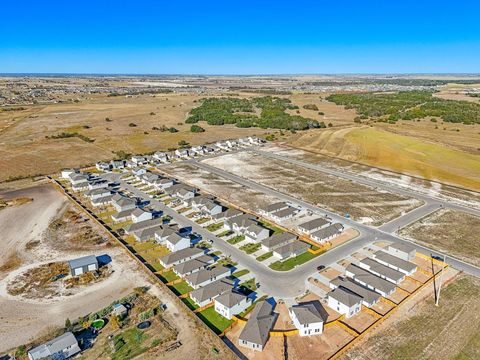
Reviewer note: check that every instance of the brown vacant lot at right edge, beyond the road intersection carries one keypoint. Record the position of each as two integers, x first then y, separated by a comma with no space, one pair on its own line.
449,231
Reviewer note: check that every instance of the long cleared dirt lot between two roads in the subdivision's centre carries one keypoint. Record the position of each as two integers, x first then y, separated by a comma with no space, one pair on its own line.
364,204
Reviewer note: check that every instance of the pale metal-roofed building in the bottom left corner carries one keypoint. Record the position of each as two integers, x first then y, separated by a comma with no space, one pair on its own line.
62,347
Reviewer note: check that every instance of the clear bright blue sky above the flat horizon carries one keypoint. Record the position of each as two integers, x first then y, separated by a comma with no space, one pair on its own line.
239,37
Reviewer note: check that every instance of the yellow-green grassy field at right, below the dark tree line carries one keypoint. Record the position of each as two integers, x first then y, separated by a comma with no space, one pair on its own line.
419,155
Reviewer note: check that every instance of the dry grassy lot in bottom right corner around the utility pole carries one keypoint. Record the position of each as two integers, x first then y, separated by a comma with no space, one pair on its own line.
419,330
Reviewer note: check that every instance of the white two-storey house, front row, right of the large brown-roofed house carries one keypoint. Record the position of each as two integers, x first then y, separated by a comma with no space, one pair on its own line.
308,318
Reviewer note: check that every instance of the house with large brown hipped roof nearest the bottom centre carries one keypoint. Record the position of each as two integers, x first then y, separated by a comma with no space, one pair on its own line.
256,332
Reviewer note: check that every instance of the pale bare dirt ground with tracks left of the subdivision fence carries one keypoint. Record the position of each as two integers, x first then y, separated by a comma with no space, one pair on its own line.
25,319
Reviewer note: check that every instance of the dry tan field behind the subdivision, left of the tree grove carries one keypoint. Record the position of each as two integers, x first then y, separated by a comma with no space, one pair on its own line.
26,150
